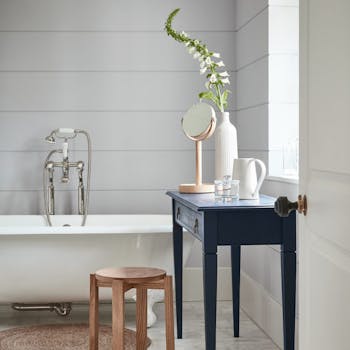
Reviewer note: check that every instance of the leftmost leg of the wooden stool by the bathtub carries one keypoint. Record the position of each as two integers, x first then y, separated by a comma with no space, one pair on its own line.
93,314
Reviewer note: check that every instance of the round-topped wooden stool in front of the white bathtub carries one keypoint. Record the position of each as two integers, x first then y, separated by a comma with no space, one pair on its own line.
121,280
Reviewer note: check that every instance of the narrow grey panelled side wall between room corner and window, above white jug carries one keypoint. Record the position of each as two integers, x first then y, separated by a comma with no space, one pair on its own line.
252,78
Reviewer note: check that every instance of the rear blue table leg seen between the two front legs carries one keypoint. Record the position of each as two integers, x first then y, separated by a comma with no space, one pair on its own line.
236,277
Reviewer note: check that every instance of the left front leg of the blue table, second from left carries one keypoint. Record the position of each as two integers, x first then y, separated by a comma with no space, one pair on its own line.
210,291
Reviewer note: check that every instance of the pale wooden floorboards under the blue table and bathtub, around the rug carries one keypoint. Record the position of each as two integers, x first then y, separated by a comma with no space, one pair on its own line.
252,338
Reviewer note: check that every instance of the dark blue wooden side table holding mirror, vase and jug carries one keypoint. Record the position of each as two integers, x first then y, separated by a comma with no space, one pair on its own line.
243,222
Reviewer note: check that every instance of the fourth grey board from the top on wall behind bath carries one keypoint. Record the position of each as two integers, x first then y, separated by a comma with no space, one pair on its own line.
146,130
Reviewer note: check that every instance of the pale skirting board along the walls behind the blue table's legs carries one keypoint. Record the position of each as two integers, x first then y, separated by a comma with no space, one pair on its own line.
255,300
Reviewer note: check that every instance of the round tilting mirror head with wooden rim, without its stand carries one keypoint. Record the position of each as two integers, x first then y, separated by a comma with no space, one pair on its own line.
199,122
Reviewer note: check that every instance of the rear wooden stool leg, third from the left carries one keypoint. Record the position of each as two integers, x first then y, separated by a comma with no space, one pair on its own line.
141,318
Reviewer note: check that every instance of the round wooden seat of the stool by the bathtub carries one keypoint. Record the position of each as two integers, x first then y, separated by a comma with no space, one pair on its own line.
130,274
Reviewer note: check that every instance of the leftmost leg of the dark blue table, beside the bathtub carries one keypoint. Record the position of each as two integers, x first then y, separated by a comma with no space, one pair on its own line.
178,262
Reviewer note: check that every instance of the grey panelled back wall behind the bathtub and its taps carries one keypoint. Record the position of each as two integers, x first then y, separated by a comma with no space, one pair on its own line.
107,67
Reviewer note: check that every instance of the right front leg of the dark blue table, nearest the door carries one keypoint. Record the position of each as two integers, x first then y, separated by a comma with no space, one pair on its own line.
288,269
